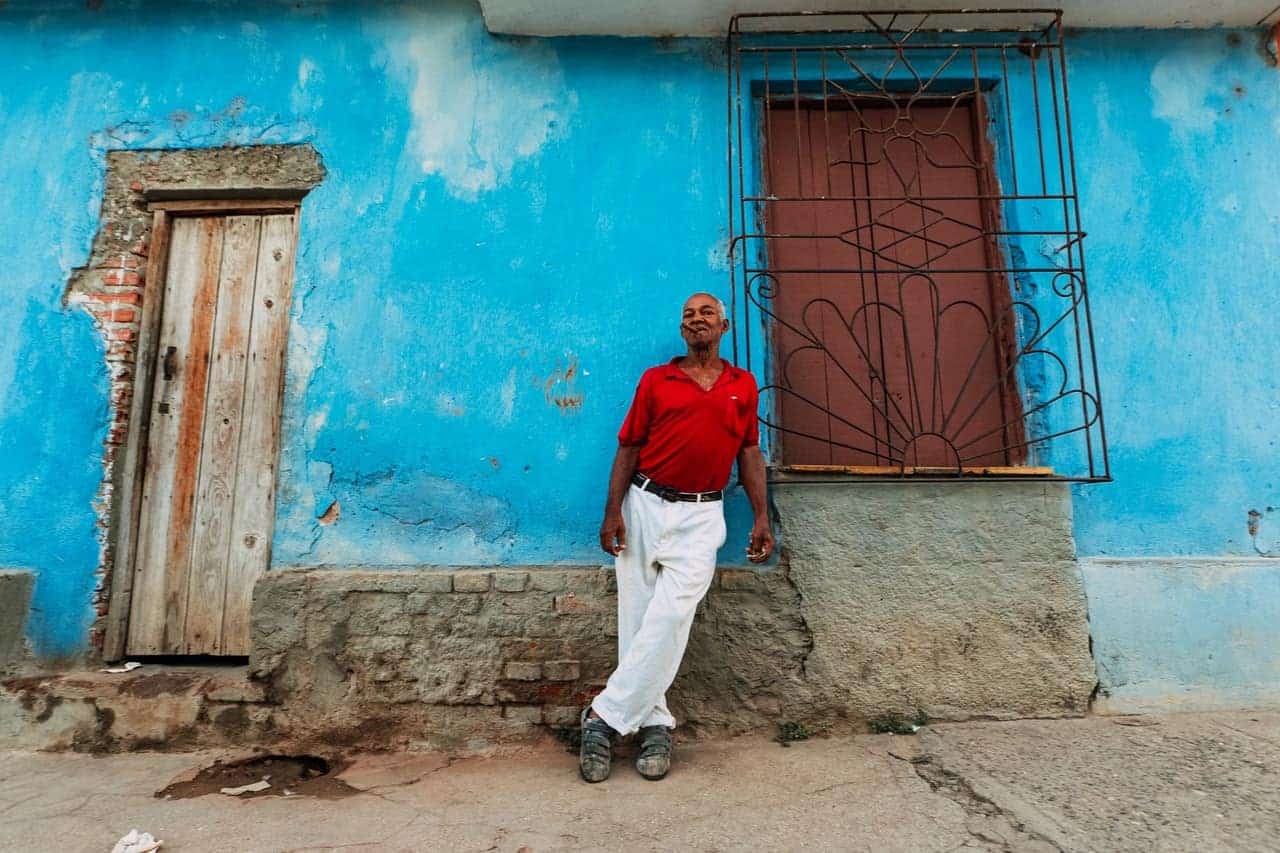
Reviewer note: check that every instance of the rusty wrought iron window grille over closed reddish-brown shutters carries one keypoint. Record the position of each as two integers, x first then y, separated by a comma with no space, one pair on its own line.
912,293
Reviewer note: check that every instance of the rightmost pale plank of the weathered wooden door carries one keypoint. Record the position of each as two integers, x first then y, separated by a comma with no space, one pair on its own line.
264,384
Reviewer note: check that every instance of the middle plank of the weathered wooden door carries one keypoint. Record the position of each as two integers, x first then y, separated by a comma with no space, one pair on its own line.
221,439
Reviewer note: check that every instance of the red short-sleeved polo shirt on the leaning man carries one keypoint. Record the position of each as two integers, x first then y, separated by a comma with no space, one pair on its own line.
689,437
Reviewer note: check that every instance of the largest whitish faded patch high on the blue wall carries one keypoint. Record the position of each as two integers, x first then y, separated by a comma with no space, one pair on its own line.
479,104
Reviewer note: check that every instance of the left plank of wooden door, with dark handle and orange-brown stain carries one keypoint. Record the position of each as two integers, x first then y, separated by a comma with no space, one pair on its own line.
173,443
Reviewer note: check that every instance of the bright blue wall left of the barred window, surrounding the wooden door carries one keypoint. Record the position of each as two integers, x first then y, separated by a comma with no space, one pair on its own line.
502,244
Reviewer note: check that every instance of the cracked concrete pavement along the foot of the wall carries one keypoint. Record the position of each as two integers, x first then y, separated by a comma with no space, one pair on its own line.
1174,783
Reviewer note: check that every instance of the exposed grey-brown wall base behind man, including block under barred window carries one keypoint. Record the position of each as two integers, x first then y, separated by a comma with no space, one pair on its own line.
954,601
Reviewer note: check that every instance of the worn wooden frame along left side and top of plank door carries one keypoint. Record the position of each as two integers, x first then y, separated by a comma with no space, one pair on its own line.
126,509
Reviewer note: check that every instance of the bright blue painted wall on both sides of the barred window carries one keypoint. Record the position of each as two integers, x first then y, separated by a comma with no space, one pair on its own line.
500,248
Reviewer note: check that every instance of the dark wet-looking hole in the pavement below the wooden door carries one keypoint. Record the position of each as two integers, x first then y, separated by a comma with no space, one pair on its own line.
299,776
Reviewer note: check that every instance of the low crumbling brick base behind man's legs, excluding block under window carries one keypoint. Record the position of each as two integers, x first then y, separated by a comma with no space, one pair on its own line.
465,659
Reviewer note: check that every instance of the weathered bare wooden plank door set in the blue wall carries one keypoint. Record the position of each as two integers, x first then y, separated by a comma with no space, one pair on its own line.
209,476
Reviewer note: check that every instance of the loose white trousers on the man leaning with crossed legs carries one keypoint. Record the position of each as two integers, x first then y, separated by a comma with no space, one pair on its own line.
662,574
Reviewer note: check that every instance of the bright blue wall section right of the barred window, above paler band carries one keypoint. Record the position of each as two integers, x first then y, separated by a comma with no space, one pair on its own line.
1178,150
